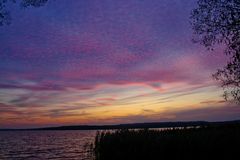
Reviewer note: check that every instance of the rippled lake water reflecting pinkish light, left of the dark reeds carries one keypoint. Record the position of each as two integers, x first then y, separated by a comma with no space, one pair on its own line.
38,145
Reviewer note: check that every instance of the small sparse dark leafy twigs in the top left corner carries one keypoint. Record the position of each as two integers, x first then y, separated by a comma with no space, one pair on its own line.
5,17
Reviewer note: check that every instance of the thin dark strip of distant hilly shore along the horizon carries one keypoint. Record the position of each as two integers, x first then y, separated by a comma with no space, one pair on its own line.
132,126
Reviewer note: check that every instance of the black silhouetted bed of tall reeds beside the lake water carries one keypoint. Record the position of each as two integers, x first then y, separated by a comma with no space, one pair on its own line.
199,142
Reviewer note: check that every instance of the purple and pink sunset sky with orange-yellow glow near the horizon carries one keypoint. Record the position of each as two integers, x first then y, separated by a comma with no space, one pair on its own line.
107,62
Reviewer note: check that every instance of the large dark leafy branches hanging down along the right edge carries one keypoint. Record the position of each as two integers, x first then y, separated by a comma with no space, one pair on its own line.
218,22
